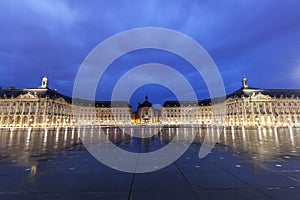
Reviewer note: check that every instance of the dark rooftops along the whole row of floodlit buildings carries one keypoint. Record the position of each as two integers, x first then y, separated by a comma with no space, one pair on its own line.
44,91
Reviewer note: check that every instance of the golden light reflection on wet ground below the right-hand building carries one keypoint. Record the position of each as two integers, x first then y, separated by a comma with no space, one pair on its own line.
262,143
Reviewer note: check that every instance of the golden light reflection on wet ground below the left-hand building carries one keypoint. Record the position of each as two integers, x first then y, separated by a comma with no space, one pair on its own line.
29,148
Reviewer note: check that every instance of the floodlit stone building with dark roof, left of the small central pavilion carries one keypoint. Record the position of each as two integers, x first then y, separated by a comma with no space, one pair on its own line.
44,107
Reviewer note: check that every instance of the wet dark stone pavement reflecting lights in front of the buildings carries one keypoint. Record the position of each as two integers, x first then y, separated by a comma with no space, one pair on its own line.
245,164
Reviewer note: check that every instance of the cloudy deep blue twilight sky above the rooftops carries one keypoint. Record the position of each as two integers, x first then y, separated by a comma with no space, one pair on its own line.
257,39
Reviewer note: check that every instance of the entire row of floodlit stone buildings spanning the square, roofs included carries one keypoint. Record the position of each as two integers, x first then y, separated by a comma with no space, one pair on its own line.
247,106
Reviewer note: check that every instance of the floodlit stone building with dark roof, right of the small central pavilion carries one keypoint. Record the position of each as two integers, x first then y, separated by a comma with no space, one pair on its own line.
247,106
